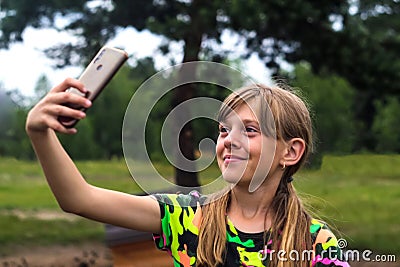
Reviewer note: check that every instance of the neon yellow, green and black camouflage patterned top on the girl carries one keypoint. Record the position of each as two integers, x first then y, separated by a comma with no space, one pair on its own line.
180,220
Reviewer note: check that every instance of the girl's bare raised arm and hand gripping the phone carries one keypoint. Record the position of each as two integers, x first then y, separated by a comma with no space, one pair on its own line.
72,192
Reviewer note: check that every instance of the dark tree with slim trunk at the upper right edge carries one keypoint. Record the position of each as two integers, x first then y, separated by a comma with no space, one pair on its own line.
366,53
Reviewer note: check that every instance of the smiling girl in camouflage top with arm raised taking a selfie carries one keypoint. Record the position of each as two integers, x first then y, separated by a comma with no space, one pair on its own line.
265,135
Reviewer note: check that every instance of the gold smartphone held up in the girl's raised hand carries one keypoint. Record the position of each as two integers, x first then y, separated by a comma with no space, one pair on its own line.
96,76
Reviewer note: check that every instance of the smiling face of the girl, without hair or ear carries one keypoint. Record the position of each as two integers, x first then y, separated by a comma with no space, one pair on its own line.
243,152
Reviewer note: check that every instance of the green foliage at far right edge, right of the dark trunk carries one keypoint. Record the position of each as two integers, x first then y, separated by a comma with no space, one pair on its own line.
386,125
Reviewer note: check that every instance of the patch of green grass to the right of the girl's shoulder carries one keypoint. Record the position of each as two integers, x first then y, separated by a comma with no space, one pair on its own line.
360,196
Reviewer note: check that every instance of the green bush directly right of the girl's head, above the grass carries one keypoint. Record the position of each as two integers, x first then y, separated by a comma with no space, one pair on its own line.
331,99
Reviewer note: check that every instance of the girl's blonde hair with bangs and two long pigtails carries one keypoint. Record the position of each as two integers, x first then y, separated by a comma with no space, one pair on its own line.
283,115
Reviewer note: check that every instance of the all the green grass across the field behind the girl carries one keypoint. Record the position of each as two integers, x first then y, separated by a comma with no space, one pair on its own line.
358,194
